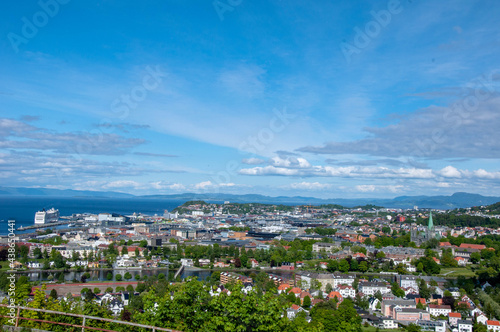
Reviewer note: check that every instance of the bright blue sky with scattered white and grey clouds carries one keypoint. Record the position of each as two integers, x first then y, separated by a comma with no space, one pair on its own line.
319,98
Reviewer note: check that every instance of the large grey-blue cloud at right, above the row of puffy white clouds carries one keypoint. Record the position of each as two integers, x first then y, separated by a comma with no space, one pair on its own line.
433,132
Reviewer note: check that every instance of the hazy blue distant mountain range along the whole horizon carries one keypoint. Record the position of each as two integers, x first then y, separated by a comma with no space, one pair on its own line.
457,200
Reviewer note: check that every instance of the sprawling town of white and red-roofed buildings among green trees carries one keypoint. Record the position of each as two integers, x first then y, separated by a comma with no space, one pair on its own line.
396,268
